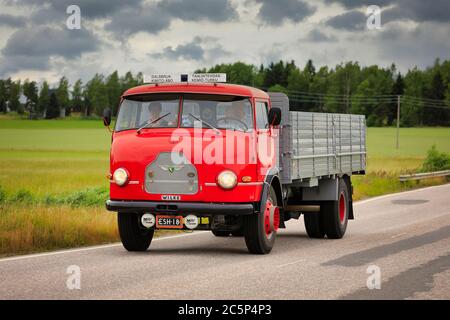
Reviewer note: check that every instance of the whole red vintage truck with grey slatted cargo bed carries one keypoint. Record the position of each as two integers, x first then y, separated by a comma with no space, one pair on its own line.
191,154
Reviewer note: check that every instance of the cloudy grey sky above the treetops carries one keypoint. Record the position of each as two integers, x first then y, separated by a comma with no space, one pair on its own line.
180,36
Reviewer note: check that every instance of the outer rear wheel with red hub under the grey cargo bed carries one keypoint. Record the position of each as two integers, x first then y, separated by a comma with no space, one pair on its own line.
335,224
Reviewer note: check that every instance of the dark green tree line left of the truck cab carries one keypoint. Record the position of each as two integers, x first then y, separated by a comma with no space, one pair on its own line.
42,101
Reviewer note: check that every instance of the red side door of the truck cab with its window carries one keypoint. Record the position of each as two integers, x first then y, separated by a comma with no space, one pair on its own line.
265,140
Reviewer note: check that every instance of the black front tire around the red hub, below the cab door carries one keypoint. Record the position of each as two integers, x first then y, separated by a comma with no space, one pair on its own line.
254,231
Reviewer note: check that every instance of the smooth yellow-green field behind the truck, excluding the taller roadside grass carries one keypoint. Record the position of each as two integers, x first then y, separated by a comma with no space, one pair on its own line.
50,157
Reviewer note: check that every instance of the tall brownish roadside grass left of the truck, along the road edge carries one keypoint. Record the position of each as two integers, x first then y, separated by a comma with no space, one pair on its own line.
26,228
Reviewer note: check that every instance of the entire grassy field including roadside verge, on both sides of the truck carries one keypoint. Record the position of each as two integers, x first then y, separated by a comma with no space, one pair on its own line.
52,171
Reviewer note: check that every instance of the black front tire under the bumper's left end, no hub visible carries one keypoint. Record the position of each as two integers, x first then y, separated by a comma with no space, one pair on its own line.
134,236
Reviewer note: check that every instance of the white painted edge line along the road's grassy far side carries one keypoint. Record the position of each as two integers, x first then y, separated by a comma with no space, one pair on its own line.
37,255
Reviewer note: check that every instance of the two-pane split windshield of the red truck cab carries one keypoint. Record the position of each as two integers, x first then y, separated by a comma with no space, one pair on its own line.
207,111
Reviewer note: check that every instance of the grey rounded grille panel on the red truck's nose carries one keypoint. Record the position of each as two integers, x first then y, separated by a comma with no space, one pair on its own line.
163,176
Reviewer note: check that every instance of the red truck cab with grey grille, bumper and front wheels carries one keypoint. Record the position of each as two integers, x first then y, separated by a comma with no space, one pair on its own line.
198,156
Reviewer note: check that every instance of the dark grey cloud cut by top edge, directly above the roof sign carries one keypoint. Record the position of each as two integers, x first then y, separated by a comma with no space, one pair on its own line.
191,10
